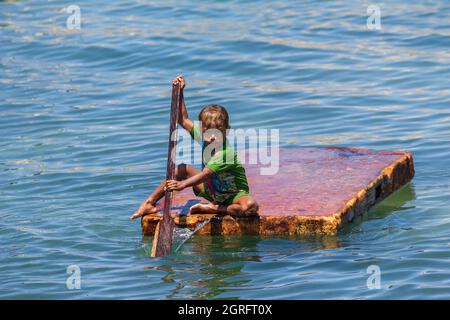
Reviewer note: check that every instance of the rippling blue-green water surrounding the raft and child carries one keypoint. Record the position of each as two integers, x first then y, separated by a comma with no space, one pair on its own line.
84,122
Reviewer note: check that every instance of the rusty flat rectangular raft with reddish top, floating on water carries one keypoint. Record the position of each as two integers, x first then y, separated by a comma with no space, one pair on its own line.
315,191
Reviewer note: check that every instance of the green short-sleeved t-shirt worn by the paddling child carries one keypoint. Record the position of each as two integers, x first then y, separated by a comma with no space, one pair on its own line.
229,175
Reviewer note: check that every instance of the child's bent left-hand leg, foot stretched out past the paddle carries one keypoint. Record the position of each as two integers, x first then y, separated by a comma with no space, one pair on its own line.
182,172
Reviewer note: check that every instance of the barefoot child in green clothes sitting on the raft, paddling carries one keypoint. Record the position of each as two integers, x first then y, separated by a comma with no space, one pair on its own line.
222,182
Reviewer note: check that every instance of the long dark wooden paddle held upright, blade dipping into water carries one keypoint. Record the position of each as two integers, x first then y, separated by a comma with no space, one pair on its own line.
162,242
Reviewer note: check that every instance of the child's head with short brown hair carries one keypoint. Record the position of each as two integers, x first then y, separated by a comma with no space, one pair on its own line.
214,116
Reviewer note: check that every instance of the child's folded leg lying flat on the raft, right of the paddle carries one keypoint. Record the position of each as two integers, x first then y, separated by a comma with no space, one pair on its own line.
243,206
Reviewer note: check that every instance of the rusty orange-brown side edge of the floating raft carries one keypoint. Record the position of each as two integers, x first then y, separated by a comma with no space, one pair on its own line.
391,178
